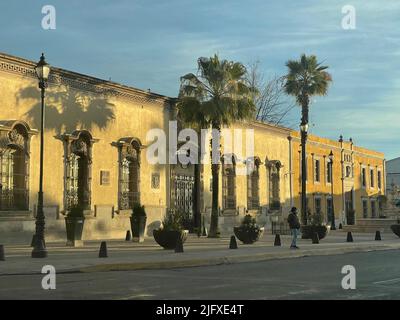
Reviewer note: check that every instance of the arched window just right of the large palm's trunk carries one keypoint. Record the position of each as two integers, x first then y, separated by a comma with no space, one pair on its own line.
229,182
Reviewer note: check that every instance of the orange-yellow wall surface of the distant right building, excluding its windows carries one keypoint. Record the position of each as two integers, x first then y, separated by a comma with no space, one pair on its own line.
320,148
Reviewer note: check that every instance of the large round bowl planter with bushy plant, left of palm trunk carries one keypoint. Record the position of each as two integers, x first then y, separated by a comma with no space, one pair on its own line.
170,231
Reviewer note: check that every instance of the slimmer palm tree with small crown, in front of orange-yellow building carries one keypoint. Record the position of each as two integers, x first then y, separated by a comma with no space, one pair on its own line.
306,78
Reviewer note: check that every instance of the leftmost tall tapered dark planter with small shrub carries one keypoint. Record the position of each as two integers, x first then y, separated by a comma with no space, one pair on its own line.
74,222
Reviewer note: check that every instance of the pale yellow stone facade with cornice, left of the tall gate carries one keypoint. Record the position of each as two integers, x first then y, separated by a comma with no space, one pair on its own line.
81,113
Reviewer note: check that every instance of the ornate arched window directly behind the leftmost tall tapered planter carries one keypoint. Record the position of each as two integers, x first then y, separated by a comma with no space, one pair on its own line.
77,169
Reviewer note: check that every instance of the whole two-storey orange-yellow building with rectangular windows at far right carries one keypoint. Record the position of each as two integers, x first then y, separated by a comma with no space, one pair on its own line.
355,184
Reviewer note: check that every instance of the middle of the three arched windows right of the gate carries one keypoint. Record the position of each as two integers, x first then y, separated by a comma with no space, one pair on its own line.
253,180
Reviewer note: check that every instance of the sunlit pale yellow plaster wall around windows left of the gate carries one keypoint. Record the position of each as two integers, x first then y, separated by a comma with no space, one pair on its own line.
20,94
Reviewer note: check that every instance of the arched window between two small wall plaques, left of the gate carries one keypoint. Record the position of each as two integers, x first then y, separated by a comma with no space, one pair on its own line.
129,172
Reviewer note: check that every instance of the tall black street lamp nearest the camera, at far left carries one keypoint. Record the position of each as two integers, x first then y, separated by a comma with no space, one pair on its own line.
42,70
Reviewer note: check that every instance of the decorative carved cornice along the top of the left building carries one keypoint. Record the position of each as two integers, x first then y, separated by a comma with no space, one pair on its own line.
79,81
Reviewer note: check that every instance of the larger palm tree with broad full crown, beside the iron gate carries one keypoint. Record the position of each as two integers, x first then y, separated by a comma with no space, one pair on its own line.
215,97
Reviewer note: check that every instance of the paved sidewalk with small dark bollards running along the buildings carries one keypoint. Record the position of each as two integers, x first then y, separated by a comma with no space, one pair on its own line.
202,251
